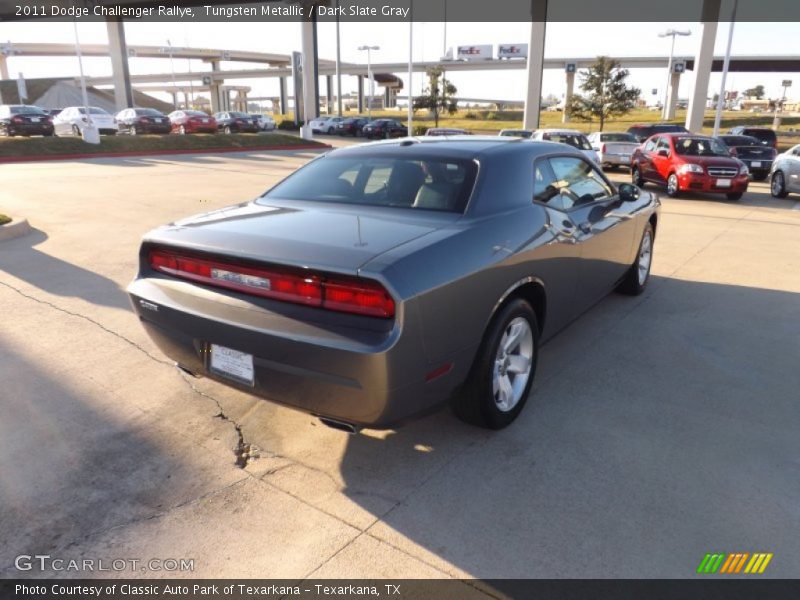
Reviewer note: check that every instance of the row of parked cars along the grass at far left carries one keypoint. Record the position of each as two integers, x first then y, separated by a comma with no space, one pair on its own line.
24,120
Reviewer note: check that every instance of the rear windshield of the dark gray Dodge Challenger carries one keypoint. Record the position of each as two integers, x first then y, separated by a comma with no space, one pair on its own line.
407,182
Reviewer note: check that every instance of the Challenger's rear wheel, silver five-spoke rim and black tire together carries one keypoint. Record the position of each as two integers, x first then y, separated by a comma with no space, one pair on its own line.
501,377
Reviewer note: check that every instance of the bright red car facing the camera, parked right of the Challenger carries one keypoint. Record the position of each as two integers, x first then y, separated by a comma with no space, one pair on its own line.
686,162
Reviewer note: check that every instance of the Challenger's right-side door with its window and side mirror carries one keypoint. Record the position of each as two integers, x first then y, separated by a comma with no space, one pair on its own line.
603,226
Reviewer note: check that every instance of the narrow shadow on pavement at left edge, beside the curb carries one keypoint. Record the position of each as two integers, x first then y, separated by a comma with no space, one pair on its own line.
21,259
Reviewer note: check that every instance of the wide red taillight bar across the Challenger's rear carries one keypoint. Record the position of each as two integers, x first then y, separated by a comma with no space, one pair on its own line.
343,294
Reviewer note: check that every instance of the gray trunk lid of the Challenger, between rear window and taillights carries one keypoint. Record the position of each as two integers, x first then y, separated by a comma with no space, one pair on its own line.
339,239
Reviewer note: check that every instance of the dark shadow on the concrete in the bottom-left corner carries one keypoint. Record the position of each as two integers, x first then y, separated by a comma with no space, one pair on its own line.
69,470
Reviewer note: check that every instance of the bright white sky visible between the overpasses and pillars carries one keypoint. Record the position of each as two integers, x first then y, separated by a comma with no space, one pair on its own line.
562,40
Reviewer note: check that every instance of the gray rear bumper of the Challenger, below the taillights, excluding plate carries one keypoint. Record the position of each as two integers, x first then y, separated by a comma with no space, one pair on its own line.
367,378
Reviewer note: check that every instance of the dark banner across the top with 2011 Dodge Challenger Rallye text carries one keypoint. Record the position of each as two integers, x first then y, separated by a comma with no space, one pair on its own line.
366,11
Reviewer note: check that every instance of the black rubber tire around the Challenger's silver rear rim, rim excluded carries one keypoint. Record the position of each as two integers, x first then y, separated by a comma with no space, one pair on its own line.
475,404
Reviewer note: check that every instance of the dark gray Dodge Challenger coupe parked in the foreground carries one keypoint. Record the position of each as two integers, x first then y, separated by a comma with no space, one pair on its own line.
382,280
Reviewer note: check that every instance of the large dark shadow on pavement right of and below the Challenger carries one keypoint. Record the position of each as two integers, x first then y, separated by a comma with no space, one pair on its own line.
659,427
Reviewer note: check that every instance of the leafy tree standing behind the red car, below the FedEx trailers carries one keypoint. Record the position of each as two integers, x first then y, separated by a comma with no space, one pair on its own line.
605,93
